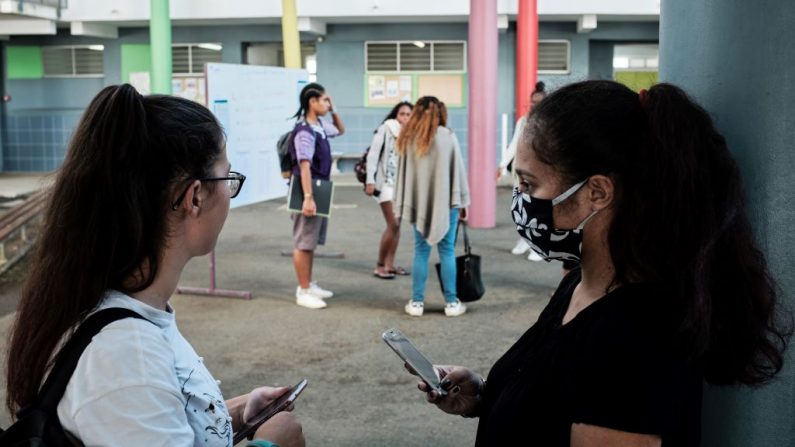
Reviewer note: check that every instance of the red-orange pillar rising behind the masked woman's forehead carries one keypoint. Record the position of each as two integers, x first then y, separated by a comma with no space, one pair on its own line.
526,54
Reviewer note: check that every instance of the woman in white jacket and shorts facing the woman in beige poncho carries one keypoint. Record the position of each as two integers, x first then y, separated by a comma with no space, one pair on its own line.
382,166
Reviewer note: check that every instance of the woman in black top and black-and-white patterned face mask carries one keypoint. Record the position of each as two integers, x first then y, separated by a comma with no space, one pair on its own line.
671,289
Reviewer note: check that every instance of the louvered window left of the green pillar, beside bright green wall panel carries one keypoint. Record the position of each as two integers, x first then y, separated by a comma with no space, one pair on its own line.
73,61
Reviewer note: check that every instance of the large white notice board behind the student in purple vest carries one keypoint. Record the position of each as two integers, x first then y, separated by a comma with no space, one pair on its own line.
254,105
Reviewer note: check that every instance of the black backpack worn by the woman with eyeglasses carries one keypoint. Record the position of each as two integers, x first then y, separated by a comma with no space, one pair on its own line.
38,424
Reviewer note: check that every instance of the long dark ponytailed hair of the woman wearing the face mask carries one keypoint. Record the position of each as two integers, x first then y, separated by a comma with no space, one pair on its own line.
680,216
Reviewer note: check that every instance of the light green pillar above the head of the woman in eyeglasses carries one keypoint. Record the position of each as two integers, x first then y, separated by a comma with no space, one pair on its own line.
160,41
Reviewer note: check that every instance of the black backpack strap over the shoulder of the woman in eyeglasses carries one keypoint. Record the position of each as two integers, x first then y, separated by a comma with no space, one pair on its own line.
66,361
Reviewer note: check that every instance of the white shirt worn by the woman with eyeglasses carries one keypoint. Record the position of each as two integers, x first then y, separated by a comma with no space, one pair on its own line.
142,384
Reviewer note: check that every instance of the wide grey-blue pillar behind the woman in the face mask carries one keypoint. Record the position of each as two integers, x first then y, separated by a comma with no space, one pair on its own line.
736,58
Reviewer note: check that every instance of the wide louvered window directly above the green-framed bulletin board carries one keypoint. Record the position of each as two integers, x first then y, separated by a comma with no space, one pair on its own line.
415,56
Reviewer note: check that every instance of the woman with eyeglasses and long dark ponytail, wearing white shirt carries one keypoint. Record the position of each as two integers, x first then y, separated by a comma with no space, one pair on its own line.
144,188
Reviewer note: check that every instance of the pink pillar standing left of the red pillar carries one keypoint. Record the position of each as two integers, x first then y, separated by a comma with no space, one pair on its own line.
482,125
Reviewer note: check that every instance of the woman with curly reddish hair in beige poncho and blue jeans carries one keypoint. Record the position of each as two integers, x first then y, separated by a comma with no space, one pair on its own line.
432,194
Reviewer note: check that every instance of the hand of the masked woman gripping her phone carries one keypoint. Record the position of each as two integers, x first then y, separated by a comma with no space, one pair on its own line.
464,389
